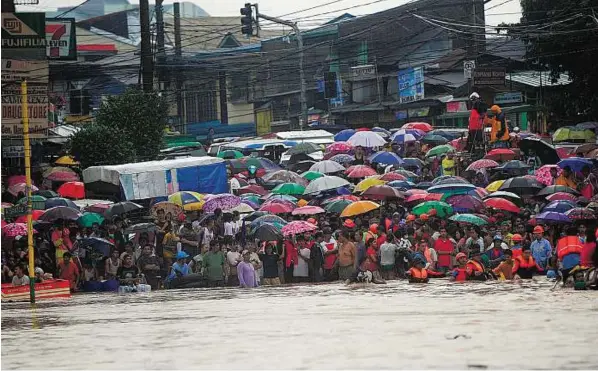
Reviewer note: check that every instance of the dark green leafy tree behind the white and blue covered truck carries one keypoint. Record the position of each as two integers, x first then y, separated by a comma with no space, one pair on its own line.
127,128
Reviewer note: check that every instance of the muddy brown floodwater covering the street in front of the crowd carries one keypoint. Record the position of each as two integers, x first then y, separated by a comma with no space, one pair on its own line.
440,325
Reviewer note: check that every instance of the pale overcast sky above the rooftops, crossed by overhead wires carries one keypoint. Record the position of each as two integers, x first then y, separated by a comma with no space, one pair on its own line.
497,11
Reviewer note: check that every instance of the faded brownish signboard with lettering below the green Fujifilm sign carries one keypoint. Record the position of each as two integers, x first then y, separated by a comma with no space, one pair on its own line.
36,73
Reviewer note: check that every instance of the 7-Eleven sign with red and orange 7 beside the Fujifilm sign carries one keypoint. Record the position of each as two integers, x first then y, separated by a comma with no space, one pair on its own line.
61,39
